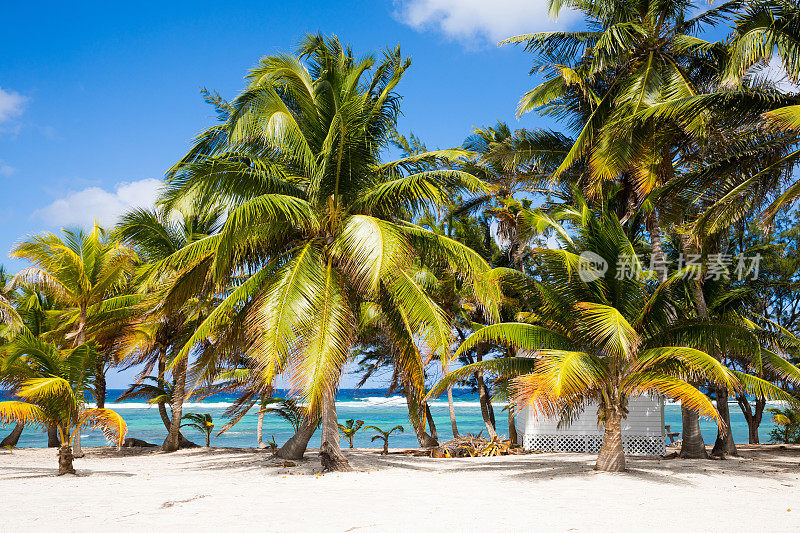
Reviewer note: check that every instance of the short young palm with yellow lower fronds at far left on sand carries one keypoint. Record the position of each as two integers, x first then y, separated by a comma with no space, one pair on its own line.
50,383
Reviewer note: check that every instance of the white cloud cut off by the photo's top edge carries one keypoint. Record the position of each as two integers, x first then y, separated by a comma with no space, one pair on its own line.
494,20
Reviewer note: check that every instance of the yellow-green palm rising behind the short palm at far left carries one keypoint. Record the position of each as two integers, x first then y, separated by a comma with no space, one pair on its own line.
79,270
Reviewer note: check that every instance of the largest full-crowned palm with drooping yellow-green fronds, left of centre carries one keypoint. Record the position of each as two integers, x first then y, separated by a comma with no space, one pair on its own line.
316,223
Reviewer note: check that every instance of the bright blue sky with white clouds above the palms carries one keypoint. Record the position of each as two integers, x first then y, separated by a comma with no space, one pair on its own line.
97,100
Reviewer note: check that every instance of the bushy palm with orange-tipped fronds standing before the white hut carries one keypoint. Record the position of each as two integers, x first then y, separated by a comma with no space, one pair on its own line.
593,338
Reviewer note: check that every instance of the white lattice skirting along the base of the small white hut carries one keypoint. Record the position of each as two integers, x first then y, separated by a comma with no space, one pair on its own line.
632,444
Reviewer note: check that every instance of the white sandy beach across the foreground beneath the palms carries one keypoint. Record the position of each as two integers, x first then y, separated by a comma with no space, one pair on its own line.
218,489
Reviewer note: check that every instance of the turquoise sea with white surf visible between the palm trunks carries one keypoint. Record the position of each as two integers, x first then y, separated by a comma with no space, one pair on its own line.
370,405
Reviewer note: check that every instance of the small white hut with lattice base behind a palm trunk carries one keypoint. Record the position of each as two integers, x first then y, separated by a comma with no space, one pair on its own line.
642,431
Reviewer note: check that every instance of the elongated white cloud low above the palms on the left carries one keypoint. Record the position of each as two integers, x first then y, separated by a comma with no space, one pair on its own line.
83,207
